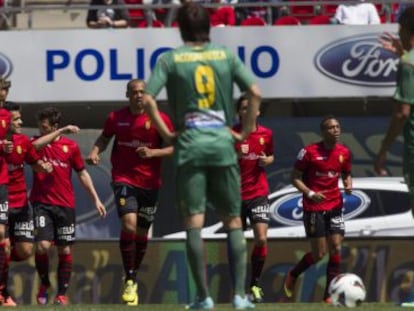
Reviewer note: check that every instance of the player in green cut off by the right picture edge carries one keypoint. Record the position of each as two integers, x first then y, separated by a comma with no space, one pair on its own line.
403,115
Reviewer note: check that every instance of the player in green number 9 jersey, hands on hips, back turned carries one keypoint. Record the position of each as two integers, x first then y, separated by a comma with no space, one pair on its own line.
199,78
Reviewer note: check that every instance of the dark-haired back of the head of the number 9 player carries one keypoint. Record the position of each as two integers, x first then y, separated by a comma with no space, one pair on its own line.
194,22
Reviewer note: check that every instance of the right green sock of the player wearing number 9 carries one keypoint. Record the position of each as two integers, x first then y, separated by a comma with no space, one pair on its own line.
237,254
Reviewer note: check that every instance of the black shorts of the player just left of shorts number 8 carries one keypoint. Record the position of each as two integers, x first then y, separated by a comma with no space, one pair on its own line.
21,227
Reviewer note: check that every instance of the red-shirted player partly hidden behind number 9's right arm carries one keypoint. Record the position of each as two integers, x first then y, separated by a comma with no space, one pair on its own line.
255,153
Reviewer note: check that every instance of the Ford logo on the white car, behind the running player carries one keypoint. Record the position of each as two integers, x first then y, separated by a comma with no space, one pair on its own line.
288,209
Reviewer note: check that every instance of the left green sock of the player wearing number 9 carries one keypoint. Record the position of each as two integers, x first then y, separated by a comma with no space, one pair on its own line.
194,246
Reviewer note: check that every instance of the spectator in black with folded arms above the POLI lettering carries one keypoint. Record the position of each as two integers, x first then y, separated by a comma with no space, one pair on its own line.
107,14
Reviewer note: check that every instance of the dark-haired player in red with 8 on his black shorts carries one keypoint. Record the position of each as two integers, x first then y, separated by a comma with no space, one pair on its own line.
53,201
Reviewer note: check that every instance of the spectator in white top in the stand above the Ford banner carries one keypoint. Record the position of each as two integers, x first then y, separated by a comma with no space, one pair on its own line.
356,14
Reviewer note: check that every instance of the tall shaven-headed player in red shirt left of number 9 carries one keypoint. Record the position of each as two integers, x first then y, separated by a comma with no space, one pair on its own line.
136,177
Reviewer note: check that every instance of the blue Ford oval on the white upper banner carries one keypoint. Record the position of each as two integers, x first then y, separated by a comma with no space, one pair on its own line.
358,60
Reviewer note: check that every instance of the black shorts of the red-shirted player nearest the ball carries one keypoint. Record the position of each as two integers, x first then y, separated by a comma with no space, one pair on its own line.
322,224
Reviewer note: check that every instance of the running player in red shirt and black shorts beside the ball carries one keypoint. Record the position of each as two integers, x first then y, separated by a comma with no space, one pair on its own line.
316,173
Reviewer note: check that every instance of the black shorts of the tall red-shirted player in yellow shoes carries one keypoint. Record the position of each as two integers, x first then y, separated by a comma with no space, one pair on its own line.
131,199
